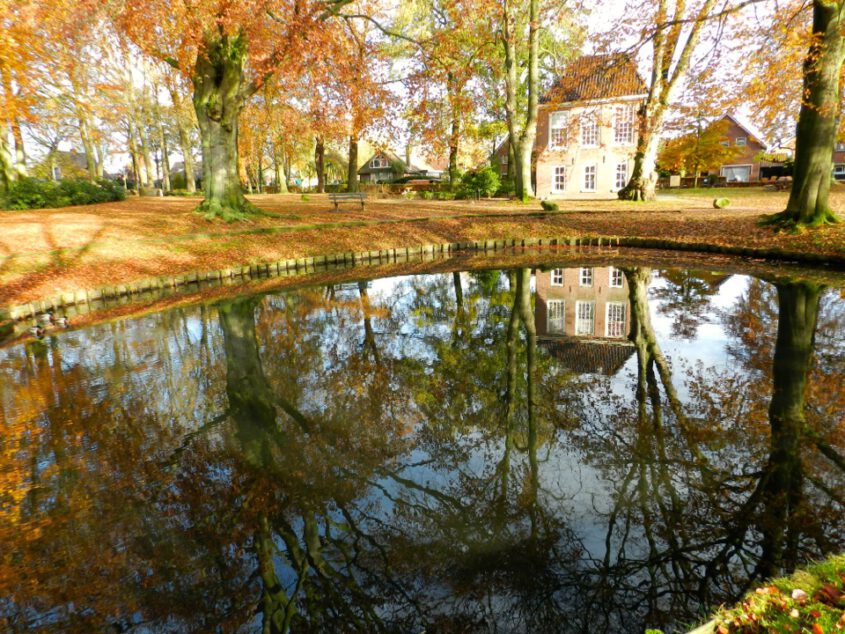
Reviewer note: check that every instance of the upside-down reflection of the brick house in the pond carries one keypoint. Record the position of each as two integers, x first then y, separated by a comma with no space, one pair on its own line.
583,318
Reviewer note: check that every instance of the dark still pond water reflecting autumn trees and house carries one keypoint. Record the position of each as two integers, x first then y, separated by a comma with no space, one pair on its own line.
534,450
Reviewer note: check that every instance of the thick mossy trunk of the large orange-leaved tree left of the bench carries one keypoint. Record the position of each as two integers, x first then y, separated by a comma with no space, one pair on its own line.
219,96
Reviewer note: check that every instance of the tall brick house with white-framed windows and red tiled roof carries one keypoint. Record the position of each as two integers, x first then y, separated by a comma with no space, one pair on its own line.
587,129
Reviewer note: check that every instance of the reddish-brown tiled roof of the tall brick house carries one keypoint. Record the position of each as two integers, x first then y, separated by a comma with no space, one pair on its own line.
597,77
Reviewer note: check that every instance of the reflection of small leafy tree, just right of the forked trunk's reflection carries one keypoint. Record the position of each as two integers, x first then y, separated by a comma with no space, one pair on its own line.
685,296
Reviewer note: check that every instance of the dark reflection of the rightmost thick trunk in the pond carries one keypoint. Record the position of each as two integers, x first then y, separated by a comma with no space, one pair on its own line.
782,483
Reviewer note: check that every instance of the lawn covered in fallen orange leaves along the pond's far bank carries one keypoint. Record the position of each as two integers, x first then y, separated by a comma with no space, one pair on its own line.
47,252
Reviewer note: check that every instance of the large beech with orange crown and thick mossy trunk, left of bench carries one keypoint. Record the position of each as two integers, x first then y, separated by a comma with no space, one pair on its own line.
228,50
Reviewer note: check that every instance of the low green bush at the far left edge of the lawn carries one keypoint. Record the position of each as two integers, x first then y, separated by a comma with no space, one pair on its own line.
31,193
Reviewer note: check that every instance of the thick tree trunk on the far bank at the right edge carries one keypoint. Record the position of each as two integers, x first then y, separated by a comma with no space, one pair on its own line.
816,132
